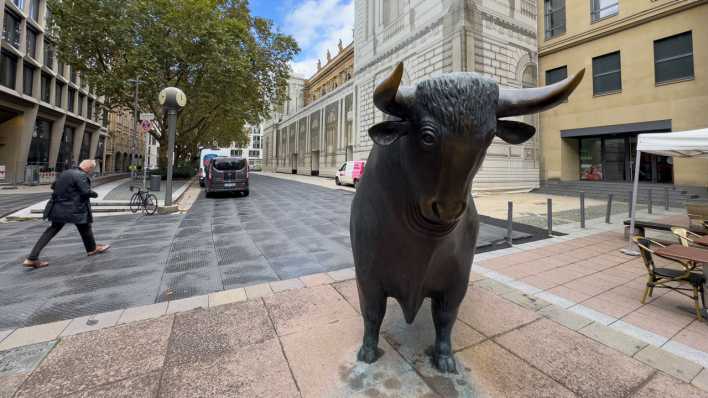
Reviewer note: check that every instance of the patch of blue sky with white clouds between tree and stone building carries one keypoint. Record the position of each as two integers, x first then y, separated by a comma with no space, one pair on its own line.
317,26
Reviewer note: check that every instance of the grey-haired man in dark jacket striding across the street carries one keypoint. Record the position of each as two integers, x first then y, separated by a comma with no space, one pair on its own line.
69,205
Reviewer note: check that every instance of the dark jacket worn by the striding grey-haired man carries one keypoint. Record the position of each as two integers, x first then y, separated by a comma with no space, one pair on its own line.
72,191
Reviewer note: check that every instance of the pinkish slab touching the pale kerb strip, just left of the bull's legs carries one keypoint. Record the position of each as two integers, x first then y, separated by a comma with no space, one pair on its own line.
307,308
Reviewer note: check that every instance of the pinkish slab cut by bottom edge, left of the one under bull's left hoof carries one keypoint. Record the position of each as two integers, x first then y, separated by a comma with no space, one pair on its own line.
258,370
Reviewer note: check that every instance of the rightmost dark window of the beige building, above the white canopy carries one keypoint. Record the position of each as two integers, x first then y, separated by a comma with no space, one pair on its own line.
673,58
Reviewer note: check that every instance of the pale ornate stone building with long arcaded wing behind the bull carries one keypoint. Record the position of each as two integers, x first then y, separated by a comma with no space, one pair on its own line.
496,38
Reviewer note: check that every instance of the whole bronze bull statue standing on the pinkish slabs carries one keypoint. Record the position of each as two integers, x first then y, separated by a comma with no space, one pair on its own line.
413,225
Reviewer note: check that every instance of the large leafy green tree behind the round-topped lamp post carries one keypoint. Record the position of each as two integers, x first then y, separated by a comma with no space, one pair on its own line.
230,64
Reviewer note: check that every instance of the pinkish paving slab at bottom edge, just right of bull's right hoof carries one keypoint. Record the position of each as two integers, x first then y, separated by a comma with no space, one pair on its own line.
497,373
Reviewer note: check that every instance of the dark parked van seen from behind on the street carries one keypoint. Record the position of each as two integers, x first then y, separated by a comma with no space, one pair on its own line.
227,174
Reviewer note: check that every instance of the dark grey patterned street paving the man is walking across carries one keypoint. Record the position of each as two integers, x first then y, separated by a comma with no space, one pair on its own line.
283,230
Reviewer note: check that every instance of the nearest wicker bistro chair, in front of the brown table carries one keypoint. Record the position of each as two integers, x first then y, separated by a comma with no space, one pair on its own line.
665,277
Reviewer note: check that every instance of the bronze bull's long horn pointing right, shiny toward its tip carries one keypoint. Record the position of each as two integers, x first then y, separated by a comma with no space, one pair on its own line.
515,102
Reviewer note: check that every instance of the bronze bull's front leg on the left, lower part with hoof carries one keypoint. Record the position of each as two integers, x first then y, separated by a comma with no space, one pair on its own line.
372,301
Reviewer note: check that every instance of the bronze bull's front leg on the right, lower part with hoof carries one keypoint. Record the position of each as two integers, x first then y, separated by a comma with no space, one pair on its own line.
444,316
